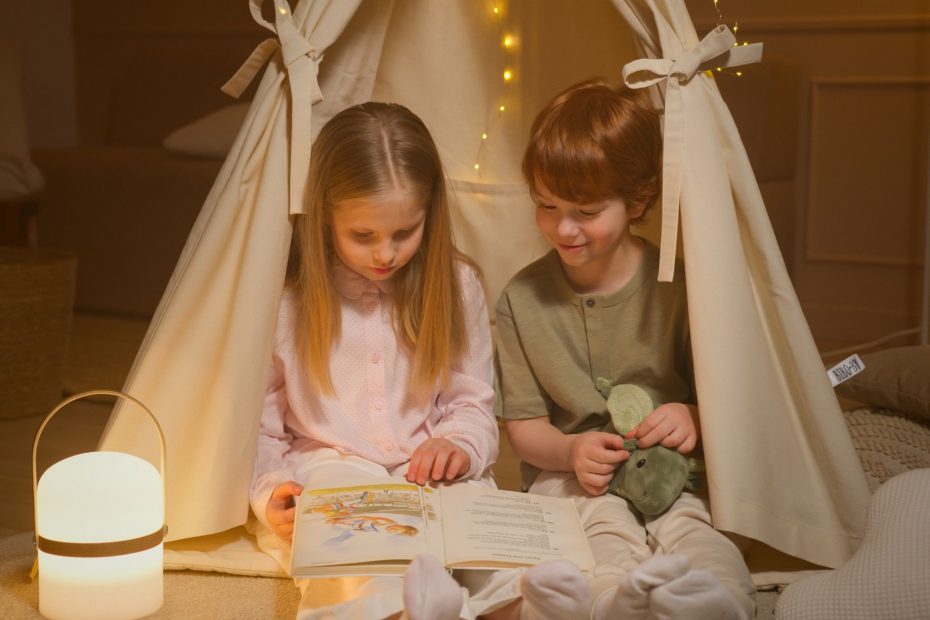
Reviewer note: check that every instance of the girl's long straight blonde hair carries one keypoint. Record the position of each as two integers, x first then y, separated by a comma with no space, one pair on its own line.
368,150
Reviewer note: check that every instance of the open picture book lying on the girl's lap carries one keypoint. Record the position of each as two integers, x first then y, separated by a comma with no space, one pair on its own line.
377,527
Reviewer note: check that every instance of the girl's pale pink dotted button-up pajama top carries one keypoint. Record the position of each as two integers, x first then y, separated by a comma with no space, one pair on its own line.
370,414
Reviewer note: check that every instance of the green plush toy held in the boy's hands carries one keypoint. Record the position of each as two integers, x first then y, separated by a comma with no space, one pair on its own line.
652,478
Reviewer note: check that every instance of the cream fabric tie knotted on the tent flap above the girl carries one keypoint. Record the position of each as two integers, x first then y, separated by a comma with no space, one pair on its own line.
301,61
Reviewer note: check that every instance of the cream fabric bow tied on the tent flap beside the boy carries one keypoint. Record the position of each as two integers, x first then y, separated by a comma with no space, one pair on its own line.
717,49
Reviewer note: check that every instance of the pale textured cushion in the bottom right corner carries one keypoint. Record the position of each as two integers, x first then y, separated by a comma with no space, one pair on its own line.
887,576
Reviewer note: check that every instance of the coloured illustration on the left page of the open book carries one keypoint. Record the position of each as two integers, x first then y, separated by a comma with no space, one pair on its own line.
394,510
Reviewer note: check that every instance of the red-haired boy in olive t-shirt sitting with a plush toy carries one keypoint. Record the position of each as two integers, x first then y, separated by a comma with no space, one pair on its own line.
592,308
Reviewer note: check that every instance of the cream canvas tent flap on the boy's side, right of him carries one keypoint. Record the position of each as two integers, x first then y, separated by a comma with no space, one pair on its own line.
781,465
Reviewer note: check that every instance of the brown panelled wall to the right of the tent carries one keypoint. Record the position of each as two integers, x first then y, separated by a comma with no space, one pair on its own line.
854,242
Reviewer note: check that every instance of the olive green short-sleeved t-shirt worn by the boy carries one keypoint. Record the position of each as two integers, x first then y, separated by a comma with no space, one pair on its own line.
553,343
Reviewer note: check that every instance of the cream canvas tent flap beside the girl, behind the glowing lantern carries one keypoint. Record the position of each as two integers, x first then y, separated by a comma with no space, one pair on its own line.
203,364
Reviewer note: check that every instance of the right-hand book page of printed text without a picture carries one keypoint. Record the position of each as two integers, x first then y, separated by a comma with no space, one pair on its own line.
490,527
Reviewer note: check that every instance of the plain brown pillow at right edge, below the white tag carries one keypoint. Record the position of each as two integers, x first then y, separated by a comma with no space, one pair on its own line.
896,378
